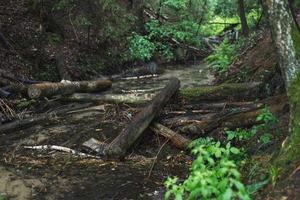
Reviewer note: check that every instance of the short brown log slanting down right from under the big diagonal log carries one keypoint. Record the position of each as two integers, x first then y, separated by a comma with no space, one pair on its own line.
178,140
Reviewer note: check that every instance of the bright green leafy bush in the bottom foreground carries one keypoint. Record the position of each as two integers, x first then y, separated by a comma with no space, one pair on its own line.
213,174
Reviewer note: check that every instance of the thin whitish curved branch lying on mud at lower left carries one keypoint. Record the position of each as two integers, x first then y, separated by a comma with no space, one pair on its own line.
63,149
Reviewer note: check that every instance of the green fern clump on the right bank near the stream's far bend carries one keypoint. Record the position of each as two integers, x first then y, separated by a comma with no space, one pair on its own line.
222,56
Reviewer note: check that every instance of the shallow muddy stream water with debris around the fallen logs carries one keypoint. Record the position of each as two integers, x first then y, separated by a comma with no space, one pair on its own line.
28,174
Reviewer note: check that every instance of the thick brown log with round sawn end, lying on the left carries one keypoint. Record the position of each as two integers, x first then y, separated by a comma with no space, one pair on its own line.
65,88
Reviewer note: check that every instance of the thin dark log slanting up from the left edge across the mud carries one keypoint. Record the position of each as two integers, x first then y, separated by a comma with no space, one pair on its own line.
22,123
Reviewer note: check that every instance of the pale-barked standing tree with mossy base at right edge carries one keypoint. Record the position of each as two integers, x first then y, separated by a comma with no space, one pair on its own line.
283,33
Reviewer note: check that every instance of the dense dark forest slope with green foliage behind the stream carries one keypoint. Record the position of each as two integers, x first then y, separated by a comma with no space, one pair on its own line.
108,36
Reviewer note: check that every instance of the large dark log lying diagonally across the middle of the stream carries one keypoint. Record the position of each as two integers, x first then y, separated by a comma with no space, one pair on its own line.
119,146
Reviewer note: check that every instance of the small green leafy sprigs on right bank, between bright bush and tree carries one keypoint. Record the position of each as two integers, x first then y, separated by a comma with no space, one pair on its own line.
267,119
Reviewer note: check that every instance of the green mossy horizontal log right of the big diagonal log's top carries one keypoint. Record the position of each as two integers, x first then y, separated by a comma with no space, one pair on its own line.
219,92
